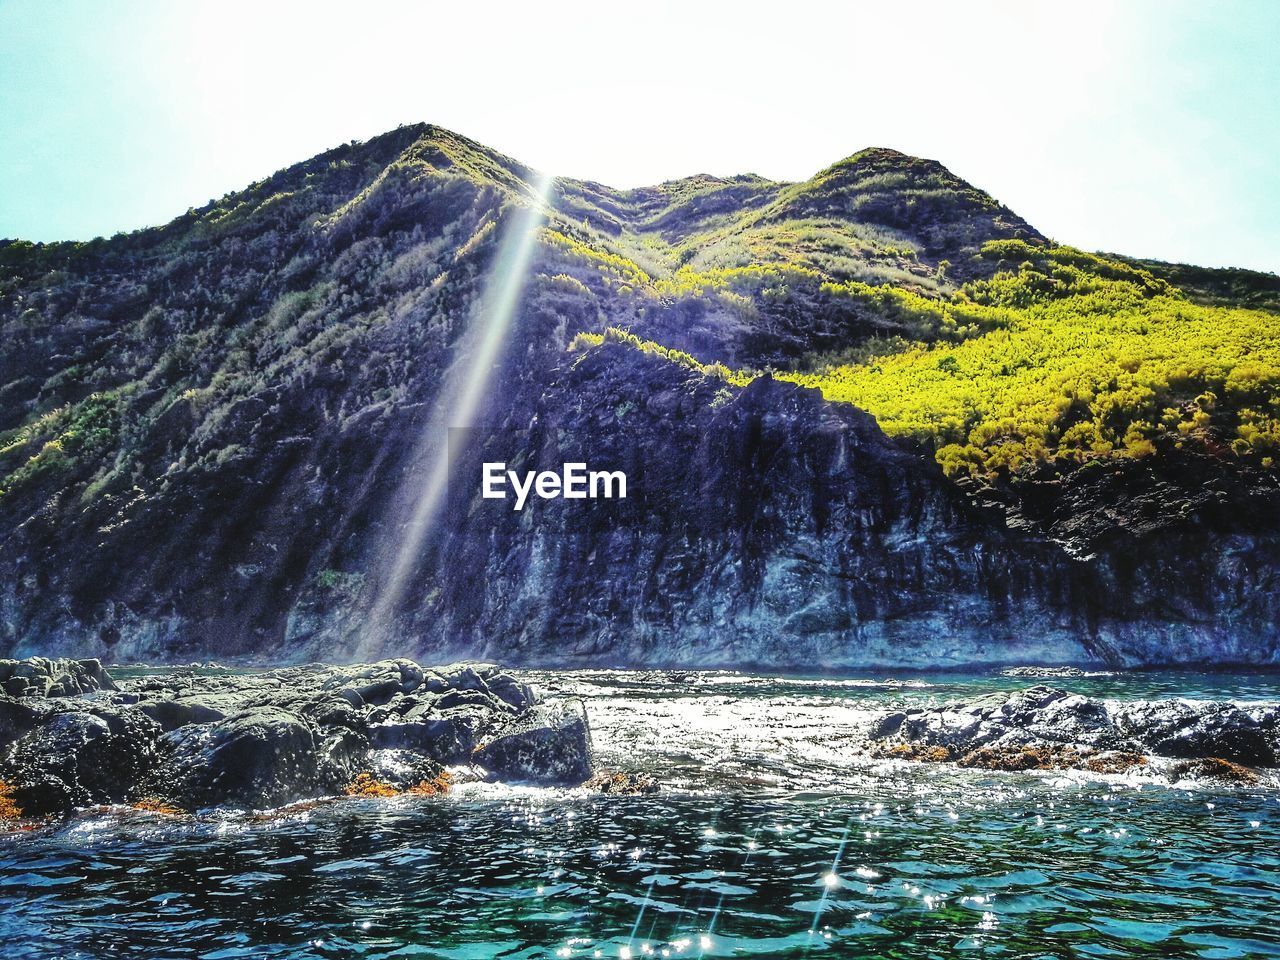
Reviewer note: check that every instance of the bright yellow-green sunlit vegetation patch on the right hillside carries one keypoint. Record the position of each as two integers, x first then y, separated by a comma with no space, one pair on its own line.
1084,356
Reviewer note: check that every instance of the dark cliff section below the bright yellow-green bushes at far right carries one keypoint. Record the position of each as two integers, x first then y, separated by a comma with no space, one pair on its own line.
1181,554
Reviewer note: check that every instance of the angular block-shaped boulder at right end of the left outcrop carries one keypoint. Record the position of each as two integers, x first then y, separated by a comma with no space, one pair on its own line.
546,746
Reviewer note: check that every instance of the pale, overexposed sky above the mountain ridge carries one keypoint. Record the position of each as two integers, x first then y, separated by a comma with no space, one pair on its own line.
1144,127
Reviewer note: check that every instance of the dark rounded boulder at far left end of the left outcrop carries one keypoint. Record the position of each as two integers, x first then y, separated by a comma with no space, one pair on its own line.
81,757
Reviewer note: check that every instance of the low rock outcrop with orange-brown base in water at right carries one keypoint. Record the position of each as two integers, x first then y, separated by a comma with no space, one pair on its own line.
1055,726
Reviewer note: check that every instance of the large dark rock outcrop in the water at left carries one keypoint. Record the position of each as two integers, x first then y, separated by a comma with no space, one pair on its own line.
268,739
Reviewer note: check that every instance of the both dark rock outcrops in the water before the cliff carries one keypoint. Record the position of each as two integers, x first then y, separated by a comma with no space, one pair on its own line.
193,739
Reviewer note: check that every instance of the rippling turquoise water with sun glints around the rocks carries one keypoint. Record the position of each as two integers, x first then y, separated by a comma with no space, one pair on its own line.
772,838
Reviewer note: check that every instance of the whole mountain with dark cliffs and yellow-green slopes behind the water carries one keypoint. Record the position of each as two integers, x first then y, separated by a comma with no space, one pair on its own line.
868,419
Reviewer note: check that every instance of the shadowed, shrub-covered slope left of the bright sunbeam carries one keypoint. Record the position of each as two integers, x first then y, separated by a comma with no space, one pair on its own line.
161,358
